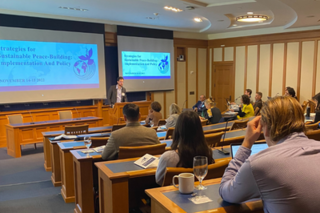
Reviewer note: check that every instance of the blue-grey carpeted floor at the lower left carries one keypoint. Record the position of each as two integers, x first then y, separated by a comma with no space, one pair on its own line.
25,186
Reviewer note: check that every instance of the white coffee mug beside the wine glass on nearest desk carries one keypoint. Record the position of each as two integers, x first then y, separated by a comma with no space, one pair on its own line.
186,182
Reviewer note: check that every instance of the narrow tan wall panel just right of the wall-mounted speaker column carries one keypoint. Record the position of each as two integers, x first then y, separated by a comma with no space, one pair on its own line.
191,76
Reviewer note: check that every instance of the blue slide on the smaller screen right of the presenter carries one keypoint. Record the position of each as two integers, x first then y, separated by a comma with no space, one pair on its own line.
145,65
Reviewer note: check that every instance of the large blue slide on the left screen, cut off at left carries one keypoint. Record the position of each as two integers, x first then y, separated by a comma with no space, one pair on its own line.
30,65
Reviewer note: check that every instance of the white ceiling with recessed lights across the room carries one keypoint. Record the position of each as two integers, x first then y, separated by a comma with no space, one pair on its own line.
218,15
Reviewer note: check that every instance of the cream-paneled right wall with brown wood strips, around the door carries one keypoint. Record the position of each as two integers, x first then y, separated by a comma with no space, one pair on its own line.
269,63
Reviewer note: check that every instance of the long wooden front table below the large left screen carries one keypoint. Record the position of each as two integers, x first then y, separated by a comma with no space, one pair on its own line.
27,133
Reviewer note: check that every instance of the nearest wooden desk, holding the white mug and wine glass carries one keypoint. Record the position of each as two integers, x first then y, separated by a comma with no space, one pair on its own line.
168,199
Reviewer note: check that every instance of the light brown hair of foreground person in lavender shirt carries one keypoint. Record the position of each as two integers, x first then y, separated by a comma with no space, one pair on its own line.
282,116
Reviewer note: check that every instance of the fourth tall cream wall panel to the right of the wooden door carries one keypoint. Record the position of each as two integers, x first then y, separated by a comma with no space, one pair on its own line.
277,69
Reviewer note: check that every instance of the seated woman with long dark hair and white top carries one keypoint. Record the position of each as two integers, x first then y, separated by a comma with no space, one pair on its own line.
188,141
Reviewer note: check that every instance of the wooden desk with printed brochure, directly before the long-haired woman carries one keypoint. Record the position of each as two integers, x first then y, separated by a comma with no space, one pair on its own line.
121,181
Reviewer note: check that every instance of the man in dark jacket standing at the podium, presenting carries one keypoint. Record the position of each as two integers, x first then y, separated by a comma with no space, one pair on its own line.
117,93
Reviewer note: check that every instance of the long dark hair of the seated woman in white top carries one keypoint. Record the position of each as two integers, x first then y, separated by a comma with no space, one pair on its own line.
188,139
